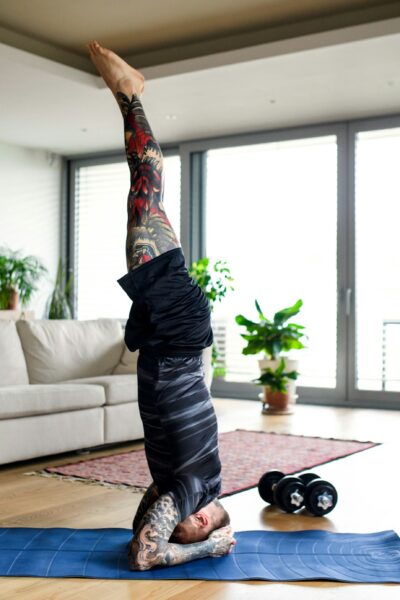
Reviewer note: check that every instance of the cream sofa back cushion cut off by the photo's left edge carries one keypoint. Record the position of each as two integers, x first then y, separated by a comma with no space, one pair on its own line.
12,361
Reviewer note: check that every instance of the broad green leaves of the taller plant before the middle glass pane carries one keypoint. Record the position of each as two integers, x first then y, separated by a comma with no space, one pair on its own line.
272,336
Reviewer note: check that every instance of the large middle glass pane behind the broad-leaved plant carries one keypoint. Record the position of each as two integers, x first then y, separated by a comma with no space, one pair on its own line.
272,214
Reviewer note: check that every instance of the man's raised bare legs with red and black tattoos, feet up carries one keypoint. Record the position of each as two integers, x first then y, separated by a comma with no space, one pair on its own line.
149,232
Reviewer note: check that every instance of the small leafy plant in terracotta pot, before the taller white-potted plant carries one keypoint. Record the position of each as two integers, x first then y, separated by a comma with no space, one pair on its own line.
275,396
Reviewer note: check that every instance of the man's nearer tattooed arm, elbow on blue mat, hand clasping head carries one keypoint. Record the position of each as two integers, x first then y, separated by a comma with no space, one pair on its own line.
150,547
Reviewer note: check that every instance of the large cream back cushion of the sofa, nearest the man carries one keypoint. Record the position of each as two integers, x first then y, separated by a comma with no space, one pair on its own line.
60,349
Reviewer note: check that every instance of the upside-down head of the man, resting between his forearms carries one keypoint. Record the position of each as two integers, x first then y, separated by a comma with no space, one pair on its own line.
198,526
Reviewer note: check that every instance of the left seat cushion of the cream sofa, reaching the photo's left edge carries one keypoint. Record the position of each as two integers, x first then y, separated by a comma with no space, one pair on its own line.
28,400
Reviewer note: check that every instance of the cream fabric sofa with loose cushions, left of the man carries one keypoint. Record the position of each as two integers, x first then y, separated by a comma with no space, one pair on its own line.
67,385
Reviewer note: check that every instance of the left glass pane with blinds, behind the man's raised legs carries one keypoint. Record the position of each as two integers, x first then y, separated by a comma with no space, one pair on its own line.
100,232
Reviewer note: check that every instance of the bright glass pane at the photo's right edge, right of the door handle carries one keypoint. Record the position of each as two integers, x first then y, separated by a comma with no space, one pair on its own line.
377,294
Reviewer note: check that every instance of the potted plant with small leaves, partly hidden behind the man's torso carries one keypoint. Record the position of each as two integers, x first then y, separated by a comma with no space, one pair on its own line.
215,281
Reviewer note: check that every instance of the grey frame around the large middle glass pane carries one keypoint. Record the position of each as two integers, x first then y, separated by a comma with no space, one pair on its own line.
193,169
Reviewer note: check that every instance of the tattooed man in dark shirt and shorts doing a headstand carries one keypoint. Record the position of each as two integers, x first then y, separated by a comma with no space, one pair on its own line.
180,517
